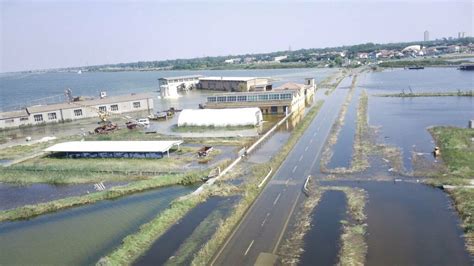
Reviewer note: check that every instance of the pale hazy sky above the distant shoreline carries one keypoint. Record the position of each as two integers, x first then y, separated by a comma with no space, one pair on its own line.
50,34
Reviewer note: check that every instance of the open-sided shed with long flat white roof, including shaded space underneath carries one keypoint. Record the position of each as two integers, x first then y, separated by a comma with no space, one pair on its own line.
113,149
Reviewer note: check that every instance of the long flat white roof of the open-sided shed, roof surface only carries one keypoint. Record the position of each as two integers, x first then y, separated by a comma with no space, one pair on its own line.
114,146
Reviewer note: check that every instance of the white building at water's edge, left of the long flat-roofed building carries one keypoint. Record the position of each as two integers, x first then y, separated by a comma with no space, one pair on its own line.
170,86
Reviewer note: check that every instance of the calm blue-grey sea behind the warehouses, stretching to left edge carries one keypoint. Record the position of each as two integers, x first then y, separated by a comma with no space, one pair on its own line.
17,89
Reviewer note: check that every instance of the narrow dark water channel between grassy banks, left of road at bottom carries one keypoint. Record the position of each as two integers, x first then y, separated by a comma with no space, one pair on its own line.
169,243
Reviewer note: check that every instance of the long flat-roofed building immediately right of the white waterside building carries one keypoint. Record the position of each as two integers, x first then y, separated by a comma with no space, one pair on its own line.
241,84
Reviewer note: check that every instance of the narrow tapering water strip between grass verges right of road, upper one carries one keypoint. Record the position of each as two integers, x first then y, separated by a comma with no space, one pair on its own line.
343,148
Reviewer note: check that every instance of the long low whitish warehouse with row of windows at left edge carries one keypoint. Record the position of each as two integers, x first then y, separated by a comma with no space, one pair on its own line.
73,110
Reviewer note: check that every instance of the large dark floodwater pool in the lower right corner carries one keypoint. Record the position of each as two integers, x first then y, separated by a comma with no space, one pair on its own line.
411,224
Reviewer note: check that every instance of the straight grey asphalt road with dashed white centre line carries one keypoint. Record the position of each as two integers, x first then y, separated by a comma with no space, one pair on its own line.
263,227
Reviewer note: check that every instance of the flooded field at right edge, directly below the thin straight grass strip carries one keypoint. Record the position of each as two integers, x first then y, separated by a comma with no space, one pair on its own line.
404,121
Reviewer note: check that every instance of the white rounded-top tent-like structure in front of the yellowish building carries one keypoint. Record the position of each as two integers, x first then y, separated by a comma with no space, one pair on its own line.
220,117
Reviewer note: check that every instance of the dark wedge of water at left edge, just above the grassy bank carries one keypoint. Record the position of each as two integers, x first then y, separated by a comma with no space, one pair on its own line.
14,196
